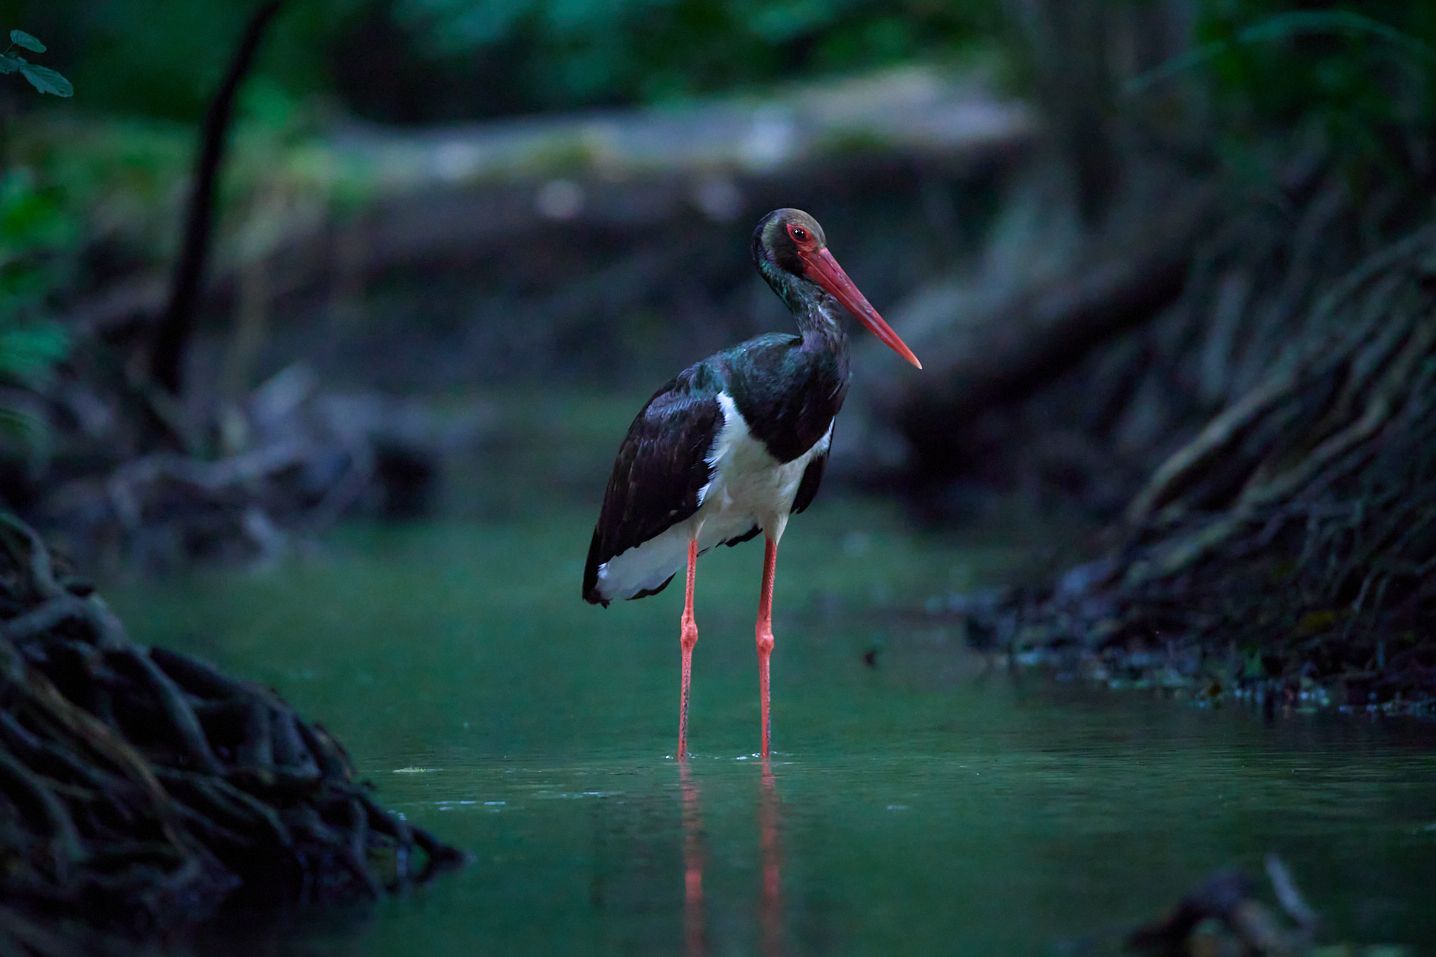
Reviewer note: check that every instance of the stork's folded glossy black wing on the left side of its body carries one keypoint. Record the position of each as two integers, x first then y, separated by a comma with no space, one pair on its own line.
660,471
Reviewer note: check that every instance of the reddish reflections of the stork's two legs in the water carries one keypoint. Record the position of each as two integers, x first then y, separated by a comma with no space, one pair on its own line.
696,860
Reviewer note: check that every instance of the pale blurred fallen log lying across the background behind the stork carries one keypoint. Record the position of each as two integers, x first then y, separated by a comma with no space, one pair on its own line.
459,193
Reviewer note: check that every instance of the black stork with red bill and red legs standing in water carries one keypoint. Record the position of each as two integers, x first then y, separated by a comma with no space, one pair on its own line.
735,445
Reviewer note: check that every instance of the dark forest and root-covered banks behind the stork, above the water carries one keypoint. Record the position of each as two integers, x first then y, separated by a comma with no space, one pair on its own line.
1168,264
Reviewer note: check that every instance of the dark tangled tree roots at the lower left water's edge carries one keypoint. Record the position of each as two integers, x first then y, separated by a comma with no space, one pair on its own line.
141,788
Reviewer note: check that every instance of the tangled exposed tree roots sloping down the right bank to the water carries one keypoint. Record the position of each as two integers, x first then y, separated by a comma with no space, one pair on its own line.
1289,547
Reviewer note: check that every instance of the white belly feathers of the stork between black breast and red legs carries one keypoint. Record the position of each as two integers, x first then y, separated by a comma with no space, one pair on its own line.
747,488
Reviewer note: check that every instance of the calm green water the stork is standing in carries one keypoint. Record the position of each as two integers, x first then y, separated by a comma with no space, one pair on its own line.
920,804
